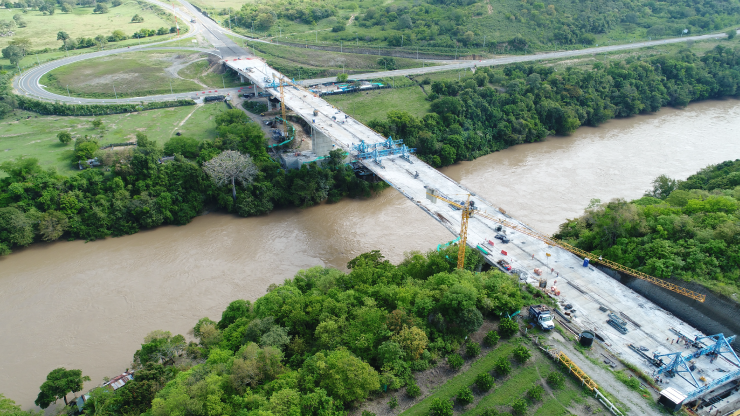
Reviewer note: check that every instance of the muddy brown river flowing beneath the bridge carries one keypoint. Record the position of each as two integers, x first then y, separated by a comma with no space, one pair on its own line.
89,305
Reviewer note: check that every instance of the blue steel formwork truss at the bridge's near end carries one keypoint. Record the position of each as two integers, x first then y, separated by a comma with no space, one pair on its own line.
677,363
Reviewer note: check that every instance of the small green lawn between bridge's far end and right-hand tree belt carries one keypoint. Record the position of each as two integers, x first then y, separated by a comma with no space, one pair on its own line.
366,106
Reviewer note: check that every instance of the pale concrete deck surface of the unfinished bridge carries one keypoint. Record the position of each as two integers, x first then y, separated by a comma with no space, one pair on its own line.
592,293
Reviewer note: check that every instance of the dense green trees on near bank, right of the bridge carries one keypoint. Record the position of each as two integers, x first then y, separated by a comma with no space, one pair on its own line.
688,229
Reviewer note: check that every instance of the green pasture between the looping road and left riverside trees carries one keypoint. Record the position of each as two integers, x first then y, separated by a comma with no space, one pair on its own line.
21,136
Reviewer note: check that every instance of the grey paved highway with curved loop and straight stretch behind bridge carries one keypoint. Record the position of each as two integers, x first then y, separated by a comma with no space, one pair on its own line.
28,83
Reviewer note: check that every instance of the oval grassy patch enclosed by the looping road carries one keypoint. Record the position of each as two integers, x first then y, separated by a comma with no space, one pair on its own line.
132,74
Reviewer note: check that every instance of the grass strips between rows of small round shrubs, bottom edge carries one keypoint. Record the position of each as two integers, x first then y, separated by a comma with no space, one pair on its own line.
508,388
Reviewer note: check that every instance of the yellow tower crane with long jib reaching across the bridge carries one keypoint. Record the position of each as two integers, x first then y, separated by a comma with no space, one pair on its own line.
468,212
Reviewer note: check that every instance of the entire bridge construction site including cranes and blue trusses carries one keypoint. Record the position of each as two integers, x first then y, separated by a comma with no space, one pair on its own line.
687,368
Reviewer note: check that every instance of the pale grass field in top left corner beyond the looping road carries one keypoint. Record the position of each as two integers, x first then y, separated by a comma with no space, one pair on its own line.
42,30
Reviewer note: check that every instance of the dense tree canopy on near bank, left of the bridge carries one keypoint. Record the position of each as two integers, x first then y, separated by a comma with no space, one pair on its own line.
346,335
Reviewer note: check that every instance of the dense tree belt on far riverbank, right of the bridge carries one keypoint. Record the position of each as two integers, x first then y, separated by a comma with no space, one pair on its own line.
494,109
